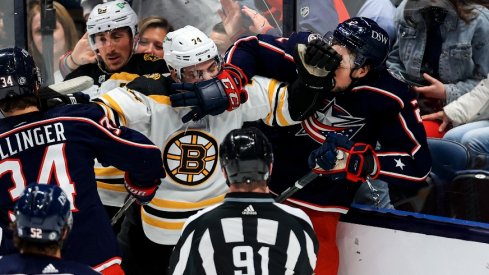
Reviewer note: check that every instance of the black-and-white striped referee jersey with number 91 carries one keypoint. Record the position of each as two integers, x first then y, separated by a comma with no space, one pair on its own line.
248,233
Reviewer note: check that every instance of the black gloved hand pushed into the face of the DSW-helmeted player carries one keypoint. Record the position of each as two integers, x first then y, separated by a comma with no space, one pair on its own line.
316,63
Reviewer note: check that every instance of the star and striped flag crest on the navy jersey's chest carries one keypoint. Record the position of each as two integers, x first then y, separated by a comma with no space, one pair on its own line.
331,118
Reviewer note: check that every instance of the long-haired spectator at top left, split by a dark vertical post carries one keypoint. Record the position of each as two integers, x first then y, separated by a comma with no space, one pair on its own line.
65,35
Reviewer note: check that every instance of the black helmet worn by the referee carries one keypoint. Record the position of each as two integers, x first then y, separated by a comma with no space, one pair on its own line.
246,156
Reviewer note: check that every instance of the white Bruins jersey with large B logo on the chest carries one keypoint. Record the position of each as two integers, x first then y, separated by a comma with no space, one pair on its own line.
190,151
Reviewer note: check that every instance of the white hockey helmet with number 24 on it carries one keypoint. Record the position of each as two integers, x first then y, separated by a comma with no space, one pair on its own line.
186,47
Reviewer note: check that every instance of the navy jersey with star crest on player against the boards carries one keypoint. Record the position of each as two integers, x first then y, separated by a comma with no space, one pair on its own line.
378,110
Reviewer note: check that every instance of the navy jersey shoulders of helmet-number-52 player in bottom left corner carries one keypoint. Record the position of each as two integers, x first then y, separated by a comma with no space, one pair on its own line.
37,264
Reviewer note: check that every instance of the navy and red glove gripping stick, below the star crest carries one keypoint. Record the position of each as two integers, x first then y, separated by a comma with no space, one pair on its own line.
340,158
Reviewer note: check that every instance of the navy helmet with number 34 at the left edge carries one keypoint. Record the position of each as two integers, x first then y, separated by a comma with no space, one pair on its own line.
19,74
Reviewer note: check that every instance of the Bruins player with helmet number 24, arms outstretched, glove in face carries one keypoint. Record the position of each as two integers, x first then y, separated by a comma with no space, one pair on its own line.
188,138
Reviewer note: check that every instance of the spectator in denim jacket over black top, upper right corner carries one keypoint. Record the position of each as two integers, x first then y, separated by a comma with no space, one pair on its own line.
441,45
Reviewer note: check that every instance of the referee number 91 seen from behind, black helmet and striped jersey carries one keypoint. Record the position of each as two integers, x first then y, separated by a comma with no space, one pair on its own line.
248,233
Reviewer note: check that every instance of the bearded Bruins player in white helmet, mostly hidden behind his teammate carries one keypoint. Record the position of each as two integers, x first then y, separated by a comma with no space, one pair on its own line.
112,30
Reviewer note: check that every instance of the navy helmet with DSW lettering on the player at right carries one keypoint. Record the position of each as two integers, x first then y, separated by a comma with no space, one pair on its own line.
365,38
